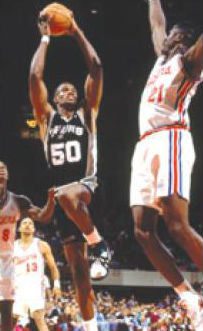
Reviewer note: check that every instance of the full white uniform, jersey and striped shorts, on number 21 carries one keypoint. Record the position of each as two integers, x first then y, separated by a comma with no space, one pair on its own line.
163,159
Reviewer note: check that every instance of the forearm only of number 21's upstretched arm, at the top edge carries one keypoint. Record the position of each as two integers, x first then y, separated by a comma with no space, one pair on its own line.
156,14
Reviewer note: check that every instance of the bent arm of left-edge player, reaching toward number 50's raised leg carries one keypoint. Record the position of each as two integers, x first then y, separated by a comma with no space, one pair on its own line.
42,215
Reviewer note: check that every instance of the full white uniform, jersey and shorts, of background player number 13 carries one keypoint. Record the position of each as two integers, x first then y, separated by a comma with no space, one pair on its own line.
29,278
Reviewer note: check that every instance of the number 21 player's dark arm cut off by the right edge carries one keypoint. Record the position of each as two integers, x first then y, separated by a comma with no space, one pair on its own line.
193,59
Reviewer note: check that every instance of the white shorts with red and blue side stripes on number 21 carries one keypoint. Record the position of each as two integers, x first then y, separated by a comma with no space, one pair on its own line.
161,166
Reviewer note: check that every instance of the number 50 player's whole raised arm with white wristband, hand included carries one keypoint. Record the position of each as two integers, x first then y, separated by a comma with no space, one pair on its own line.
37,87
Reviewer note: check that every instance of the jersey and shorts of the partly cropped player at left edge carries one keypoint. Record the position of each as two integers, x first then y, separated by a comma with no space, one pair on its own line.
9,215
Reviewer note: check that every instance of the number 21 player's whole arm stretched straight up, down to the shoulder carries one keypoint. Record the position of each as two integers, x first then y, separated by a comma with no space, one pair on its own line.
158,24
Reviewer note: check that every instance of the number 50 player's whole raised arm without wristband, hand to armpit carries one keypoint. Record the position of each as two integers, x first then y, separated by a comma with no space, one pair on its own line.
94,81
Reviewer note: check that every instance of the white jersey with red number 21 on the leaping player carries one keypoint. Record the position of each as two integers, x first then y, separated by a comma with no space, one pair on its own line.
167,96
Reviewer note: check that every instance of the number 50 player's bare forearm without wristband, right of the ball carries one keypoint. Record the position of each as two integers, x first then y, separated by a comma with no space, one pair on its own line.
91,57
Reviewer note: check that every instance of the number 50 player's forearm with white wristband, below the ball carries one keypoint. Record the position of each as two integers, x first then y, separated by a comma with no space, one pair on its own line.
39,58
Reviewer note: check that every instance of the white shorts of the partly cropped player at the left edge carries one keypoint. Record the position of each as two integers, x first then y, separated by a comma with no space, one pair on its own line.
6,277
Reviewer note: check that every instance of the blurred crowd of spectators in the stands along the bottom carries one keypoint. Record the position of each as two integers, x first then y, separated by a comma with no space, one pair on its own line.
116,313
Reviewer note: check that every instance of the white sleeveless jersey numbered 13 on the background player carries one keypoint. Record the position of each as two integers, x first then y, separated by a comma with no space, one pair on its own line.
29,266
